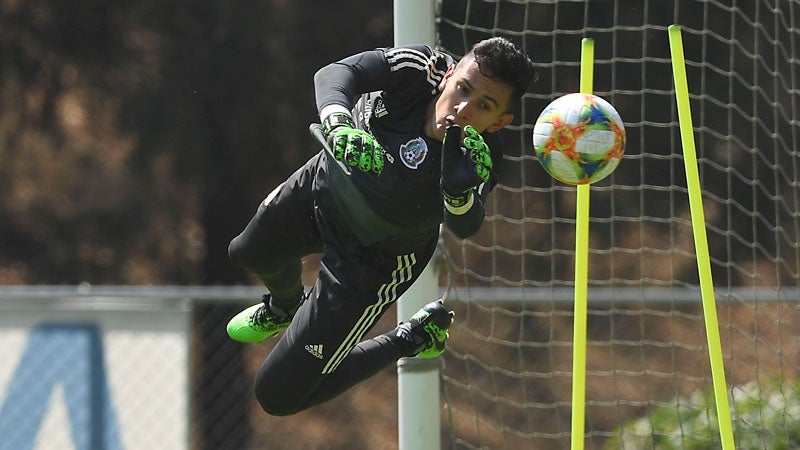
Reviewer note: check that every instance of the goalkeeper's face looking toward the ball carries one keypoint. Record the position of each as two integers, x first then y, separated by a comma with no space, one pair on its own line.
470,98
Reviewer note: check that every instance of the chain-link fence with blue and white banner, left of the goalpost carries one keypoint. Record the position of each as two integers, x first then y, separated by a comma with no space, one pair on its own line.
152,368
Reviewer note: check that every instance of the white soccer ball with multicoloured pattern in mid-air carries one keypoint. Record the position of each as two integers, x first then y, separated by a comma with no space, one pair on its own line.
579,138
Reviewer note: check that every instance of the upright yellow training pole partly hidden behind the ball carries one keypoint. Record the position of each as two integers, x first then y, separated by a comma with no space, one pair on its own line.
581,276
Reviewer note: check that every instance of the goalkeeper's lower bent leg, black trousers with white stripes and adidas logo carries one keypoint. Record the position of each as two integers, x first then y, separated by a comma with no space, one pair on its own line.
321,354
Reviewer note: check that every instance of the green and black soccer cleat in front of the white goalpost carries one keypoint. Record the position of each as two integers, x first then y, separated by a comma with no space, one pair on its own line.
427,329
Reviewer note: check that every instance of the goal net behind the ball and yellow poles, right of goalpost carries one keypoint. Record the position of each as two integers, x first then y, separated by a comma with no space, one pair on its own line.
508,373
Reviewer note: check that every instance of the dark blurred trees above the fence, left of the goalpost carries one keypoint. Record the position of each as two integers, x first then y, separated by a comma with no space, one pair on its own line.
137,138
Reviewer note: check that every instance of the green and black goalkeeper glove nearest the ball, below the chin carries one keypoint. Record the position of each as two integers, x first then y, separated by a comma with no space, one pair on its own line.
464,167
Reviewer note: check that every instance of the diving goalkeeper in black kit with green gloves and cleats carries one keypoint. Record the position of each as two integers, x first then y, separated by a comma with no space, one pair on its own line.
411,144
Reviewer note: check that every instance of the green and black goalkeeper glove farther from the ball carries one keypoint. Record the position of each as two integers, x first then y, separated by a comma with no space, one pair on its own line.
354,147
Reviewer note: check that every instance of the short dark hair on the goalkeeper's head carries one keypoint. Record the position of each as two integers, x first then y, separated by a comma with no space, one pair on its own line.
501,60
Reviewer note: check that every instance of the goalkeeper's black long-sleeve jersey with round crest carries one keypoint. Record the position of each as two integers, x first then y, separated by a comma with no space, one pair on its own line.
389,92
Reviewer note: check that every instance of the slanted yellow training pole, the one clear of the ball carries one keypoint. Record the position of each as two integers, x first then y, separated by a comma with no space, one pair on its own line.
700,239
